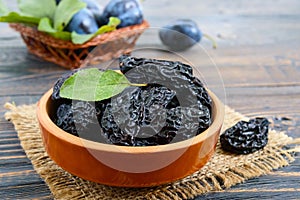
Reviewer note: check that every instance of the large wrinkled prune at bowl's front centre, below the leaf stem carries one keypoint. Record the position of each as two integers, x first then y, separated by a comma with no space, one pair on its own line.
137,114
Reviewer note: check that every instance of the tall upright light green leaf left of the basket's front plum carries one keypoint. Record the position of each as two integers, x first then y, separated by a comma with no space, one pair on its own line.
65,11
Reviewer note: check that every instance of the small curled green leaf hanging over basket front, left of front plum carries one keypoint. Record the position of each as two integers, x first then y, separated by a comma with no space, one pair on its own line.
45,25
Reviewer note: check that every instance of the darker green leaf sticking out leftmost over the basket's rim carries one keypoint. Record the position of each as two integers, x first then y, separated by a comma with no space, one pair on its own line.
14,17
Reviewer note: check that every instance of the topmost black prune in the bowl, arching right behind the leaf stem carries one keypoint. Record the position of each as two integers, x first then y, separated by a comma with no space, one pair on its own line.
173,75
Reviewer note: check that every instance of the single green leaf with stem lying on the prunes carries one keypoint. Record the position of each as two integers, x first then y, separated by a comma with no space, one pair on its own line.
94,85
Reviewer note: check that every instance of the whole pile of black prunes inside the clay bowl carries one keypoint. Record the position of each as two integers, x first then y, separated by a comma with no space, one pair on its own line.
173,106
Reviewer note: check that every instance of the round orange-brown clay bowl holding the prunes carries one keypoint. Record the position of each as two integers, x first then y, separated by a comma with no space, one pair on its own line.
128,166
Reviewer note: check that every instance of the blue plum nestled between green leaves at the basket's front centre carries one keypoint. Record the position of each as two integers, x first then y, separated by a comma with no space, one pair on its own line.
83,22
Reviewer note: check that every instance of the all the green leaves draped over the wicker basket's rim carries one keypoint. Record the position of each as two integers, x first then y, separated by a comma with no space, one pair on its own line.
52,18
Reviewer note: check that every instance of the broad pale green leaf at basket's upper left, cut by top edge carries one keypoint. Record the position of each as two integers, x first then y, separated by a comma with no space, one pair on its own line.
39,9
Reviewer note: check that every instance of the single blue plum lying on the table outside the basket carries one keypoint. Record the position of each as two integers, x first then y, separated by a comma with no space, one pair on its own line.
180,34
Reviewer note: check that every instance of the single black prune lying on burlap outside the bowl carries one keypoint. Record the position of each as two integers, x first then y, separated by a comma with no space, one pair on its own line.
246,137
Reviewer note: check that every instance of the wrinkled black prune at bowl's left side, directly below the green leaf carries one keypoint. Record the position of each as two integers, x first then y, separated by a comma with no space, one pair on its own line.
80,119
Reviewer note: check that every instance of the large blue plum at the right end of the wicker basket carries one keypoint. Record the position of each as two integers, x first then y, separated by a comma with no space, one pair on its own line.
128,11
